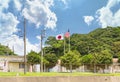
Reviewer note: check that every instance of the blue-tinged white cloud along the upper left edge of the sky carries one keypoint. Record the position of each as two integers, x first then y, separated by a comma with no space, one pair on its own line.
8,21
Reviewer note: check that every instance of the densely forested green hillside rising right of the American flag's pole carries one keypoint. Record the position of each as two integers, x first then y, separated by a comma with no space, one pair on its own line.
97,40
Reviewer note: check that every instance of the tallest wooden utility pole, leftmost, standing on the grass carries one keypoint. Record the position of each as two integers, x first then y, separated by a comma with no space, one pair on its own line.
24,46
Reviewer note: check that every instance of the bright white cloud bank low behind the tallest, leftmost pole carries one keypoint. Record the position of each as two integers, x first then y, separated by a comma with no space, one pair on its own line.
18,44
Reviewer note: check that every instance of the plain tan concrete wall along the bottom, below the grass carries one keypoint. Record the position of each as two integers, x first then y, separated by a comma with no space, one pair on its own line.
62,79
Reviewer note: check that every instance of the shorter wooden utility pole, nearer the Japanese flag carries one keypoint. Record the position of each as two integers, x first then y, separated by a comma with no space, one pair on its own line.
42,36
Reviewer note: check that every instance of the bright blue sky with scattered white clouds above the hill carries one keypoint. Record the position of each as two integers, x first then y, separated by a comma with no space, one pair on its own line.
55,16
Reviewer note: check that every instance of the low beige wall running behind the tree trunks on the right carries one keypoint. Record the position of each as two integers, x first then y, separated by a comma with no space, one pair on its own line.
94,68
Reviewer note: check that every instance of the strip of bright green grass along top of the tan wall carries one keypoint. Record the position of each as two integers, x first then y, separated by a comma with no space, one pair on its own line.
7,74
